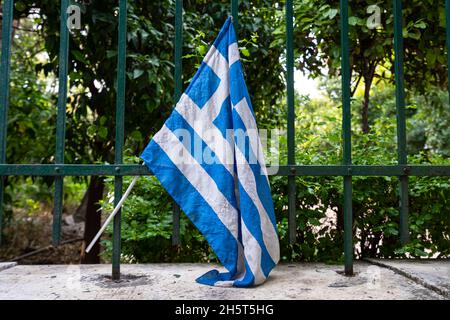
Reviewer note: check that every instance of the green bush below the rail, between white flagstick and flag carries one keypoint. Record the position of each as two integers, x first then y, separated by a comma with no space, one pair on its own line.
147,227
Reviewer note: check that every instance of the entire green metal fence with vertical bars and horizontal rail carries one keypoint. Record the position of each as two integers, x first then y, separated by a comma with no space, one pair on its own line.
59,170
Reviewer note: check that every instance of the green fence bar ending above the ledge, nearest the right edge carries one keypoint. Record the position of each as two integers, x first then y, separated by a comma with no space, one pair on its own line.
401,119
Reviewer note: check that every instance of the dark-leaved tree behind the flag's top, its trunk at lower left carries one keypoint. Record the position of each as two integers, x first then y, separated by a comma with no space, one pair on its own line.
149,91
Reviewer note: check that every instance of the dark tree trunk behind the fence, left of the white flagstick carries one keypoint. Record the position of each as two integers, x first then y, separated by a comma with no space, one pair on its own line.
93,220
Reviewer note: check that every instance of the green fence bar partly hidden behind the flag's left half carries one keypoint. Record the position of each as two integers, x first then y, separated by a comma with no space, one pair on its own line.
177,94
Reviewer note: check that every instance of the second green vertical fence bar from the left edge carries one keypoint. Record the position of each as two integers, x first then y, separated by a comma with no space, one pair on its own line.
61,119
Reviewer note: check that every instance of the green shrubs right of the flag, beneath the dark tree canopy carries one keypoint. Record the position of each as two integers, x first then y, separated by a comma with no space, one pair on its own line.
375,199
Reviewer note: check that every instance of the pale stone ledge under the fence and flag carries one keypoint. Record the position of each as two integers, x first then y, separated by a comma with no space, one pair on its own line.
395,280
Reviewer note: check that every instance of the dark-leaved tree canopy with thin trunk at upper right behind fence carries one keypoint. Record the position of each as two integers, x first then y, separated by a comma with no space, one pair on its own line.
317,38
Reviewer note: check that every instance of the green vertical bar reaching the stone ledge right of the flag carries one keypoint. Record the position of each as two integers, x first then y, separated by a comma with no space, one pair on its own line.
346,135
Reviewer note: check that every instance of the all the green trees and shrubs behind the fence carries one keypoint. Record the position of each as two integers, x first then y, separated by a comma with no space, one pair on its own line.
147,214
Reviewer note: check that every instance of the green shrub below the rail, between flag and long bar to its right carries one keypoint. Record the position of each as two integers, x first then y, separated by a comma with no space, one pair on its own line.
317,236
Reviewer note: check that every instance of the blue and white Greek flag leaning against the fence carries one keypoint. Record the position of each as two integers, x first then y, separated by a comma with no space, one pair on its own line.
208,156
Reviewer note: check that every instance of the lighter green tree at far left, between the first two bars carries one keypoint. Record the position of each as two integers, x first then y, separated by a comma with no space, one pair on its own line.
31,104
